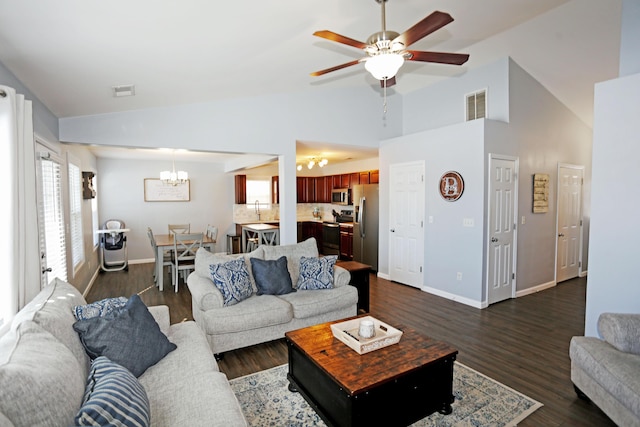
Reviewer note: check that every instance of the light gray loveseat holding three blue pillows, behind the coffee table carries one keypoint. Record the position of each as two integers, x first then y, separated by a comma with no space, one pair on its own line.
262,318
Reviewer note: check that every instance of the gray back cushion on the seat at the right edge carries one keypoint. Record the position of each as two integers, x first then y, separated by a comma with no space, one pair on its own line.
621,331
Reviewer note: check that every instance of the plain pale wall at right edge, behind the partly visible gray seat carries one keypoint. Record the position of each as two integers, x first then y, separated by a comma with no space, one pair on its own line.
613,284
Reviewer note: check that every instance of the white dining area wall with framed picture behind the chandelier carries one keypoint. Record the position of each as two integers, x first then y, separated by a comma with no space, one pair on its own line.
121,196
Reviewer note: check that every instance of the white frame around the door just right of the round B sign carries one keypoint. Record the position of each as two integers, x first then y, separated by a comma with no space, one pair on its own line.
514,281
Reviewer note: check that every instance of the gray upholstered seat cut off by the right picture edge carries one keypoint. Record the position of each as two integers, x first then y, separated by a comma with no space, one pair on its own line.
607,370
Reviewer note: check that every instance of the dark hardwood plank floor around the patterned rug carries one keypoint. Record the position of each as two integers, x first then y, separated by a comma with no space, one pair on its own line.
523,342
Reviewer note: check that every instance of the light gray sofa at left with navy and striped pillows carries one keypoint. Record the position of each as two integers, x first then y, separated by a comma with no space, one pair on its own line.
44,368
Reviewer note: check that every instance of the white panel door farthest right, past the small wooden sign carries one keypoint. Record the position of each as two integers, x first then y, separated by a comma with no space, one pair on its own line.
569,222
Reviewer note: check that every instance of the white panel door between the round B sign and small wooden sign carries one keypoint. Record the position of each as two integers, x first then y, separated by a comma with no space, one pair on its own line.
501,228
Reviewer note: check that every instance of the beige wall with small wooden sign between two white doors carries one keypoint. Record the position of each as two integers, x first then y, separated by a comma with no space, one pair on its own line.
542,133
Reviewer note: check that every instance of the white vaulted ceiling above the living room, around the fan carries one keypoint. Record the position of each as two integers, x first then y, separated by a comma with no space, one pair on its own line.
70,53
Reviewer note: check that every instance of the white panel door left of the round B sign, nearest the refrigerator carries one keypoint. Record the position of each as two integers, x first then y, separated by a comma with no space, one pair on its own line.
406,223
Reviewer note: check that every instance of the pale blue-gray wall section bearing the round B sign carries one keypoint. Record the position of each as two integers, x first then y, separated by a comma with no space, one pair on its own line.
449,247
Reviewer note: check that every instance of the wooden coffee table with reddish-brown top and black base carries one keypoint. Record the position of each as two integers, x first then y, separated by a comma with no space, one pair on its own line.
393,386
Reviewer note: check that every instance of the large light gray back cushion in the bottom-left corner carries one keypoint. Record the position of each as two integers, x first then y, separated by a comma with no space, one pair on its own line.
41,381
